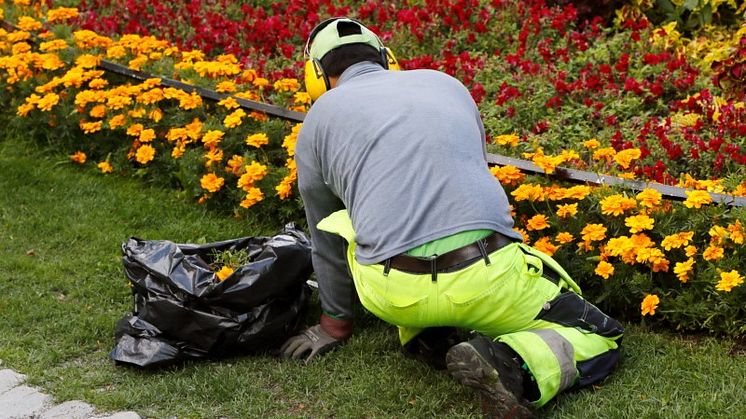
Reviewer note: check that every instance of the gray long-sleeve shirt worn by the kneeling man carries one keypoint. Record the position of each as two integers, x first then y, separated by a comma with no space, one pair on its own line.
404,152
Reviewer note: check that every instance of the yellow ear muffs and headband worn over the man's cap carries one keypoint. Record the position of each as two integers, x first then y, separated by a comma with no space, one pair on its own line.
316,80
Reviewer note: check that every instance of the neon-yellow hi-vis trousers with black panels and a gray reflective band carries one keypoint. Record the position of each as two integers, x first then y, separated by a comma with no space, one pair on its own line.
564,340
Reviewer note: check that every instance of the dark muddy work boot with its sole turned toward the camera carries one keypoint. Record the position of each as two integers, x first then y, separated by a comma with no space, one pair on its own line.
492,369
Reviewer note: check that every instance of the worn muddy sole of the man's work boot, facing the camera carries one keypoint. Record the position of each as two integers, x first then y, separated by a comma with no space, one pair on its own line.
469,368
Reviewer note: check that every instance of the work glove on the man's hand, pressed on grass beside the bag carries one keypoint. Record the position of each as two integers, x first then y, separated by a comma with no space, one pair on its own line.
317,340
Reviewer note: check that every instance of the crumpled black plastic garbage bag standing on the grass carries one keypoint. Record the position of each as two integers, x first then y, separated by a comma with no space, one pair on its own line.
181,311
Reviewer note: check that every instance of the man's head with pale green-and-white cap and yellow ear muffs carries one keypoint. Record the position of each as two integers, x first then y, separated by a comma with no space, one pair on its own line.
336,44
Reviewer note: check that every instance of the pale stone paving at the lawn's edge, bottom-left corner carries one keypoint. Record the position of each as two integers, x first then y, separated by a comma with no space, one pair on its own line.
19,401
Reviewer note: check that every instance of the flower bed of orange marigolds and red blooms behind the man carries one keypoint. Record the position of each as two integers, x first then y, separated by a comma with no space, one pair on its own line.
621,100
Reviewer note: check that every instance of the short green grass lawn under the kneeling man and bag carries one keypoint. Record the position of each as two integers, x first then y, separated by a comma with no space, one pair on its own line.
62,289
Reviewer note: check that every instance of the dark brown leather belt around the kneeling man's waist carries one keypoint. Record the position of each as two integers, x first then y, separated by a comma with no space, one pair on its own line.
450,261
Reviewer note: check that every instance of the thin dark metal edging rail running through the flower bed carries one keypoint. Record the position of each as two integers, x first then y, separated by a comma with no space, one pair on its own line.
570,175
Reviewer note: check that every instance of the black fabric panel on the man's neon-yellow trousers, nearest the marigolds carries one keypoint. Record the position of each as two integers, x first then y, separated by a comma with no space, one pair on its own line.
570,309
